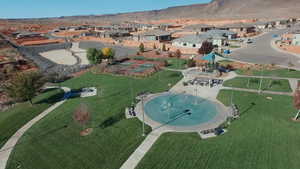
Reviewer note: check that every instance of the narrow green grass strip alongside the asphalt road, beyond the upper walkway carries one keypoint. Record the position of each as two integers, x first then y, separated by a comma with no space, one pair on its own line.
277,72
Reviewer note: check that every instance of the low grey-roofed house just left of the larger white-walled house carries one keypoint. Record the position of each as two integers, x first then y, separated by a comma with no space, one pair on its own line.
153,35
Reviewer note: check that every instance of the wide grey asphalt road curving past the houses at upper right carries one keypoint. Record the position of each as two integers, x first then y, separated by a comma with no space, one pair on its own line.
261,51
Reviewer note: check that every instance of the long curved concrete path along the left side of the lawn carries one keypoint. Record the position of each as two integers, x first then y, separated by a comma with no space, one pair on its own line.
6,150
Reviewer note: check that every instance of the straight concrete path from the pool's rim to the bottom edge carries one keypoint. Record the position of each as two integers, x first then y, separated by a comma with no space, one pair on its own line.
140,152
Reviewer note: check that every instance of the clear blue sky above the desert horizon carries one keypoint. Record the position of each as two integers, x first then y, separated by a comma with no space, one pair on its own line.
51,8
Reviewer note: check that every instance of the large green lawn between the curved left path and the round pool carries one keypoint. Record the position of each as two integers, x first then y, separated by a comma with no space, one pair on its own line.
54,142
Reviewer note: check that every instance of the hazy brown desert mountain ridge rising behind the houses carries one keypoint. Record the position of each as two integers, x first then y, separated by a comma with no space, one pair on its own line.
215,9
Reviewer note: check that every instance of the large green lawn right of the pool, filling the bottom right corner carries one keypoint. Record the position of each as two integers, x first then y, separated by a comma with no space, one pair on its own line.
263,138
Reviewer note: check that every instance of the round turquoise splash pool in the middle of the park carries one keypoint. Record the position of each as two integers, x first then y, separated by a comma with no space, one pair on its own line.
180,110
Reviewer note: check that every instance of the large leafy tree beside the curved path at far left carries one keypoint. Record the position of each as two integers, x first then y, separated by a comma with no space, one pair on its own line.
24,86
